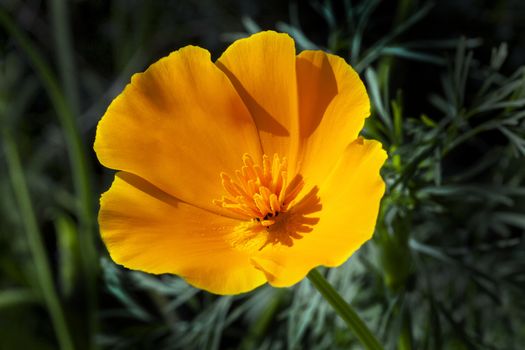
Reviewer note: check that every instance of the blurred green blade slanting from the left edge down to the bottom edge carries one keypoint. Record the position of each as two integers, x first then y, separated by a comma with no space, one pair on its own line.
34,237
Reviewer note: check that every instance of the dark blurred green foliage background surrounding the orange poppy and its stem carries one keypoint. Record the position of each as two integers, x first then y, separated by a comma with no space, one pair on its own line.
446,267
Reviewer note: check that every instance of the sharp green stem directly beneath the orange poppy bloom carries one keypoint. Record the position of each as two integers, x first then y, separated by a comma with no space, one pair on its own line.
343,309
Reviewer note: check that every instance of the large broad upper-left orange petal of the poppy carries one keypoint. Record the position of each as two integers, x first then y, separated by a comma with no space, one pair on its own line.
178,125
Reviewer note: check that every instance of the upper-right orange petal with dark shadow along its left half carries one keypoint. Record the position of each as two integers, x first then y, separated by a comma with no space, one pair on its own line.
333,105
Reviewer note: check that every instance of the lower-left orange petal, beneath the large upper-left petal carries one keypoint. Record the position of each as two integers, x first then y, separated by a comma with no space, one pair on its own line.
146,229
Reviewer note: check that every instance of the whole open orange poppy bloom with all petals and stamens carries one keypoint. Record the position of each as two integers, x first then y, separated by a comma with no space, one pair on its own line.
239,172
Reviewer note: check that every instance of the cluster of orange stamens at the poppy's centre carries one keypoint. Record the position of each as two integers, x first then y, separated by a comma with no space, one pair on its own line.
260,192
